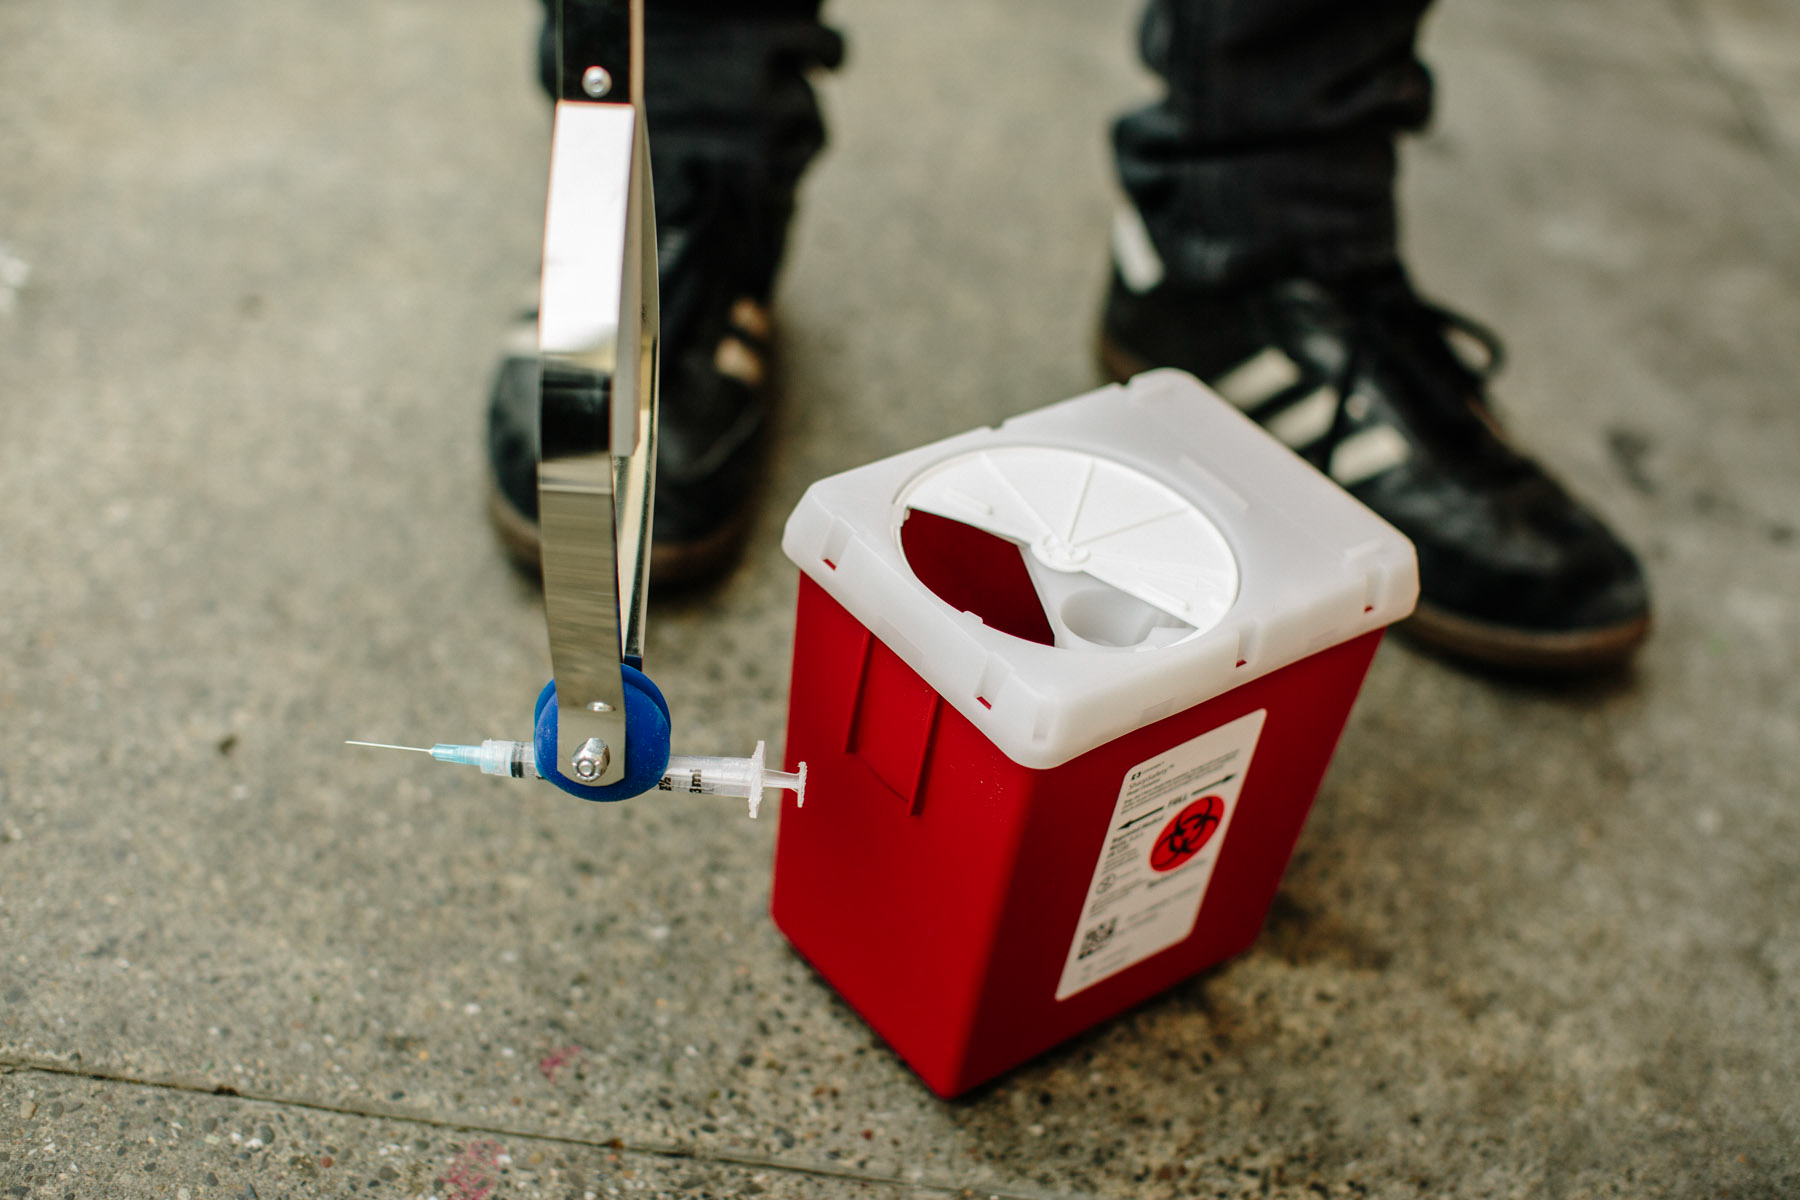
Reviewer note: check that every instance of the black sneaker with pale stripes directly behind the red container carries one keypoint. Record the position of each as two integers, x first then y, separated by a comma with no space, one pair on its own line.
1365,381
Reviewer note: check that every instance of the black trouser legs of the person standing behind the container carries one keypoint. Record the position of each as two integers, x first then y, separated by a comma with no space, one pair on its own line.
1272,154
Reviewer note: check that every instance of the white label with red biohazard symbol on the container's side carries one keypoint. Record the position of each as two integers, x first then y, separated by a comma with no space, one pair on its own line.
1160,850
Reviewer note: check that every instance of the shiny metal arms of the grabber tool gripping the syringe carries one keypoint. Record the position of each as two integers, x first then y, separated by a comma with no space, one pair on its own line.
598,346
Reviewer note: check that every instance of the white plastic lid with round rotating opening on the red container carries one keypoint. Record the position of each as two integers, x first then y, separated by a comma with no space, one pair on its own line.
1178,551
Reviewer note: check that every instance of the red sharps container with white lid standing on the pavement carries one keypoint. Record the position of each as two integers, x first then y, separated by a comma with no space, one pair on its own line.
1066,690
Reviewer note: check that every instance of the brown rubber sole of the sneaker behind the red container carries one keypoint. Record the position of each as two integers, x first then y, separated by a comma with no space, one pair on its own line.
1464,638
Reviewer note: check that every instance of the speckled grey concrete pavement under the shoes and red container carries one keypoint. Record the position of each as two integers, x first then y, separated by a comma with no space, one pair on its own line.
253,267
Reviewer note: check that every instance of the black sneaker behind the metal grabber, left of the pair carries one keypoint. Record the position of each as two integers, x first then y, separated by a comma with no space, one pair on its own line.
717,258
